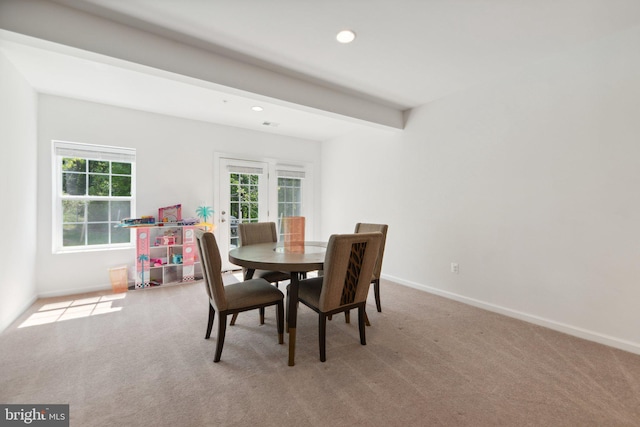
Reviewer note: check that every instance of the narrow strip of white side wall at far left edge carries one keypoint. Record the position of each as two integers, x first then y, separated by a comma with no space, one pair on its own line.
18,193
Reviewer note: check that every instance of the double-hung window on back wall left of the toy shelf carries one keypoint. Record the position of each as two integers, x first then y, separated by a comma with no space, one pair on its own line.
94,188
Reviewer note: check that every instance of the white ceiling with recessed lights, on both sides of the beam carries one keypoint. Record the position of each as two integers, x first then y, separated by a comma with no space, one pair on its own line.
407,52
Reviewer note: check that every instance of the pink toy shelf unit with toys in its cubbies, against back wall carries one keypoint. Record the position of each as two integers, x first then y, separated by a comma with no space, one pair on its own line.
166,254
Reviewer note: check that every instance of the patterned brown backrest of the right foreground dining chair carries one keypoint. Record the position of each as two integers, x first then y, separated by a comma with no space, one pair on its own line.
348,266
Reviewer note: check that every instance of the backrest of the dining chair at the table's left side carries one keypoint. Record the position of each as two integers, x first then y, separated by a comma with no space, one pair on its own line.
212,268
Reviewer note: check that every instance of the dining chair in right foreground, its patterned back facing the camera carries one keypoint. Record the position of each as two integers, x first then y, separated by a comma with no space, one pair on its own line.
348,267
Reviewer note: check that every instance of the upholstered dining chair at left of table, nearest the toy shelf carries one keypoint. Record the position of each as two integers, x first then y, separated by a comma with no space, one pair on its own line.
234,298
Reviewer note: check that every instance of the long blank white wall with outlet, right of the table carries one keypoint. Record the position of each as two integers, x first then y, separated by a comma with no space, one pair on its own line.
531,184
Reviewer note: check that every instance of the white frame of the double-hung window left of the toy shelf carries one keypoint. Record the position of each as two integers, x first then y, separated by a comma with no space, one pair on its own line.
62,149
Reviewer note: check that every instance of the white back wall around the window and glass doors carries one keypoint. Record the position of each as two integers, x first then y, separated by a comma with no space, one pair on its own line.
174,165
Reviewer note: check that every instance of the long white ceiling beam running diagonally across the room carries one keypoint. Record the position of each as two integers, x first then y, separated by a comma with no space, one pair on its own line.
79,29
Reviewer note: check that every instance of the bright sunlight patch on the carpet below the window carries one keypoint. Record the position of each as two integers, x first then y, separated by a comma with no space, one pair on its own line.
73,309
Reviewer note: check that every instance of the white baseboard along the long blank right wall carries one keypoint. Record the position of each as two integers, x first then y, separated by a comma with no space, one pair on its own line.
610,341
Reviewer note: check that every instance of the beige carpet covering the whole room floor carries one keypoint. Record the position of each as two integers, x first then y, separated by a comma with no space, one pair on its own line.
142,361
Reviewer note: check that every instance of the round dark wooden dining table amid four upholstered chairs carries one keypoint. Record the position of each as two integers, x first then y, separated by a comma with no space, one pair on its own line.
296,259
